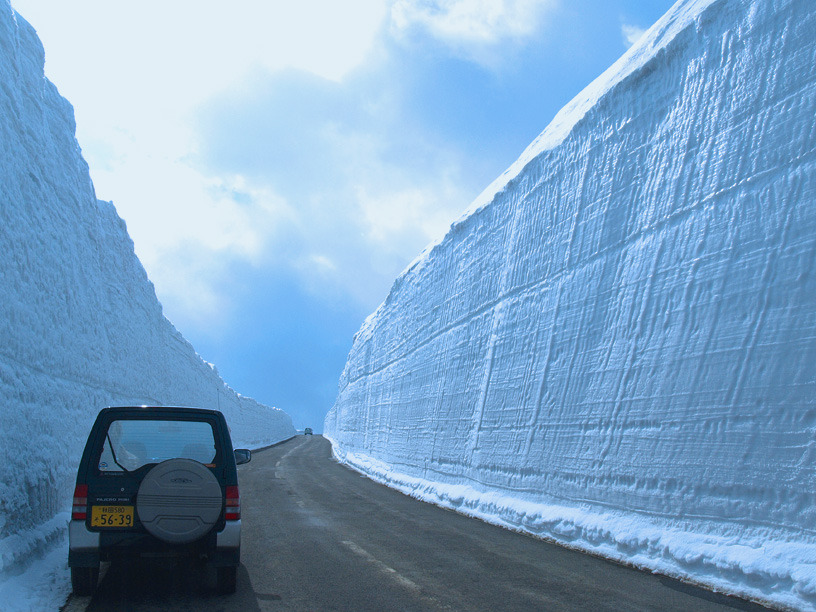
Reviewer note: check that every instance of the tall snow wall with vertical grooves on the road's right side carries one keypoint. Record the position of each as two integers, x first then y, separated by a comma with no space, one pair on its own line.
615,347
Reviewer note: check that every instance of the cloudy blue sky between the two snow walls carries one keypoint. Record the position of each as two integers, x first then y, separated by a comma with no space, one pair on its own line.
279,164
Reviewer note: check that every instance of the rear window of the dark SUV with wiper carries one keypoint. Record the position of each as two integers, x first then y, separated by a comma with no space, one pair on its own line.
129,443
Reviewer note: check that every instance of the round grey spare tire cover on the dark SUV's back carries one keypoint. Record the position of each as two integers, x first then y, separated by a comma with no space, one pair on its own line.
179,501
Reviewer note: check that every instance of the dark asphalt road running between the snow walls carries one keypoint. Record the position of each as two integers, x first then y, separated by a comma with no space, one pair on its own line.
318,536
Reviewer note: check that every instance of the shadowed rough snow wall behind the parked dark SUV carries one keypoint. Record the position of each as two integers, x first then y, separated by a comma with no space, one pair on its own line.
80,325
